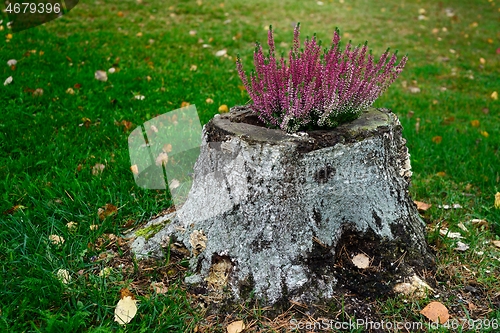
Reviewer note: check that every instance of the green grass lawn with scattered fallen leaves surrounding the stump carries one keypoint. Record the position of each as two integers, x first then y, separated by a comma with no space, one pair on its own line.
50,143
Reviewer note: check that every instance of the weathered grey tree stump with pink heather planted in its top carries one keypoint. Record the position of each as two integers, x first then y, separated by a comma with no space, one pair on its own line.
278,216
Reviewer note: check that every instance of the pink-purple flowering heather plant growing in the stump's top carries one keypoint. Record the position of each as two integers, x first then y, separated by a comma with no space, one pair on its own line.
316,88
